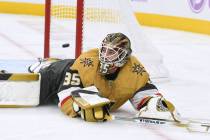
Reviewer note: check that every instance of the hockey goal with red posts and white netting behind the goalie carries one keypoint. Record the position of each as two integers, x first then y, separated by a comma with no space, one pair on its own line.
74,26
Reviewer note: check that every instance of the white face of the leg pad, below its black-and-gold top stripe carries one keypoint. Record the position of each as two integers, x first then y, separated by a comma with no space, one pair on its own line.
19,93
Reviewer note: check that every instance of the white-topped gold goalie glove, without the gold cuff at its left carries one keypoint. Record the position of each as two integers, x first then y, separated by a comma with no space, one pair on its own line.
90,106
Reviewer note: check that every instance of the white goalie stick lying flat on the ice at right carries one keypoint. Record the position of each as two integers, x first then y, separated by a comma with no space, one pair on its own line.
192,125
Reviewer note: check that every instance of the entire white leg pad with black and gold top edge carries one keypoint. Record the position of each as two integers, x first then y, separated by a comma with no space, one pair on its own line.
19,89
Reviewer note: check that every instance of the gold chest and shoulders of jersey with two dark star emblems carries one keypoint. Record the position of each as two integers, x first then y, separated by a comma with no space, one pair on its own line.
131,78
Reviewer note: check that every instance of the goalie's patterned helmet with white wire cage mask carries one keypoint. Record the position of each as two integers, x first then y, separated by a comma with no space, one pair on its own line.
114,52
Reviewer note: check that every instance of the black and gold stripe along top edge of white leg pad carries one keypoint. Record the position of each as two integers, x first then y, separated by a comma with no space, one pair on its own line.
19,76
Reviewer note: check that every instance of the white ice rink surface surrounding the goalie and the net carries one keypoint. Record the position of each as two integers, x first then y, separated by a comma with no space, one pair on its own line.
186,55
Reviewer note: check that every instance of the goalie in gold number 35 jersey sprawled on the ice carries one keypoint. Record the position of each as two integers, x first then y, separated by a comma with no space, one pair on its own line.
116,75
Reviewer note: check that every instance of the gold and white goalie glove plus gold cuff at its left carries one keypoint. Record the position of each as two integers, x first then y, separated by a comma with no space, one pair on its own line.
87,104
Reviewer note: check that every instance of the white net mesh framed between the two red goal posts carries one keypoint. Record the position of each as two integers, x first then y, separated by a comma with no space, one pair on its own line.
62,28
